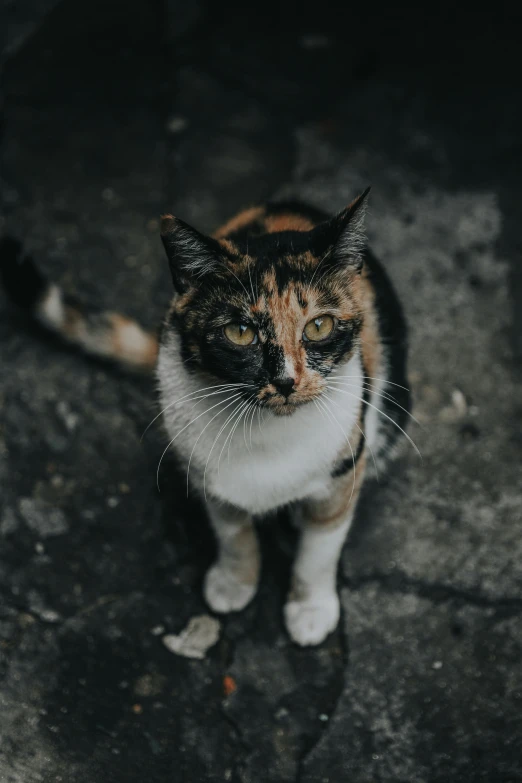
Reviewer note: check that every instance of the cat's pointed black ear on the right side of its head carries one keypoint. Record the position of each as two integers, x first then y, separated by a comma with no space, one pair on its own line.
342,240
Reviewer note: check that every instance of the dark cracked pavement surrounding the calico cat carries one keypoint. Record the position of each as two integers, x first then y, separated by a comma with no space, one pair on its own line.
113,113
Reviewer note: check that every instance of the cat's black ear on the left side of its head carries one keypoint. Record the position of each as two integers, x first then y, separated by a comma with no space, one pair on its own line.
191,255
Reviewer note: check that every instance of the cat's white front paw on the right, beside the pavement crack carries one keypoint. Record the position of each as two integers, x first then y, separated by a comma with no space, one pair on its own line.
310,621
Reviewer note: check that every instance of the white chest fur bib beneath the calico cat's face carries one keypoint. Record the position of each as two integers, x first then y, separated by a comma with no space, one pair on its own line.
273,462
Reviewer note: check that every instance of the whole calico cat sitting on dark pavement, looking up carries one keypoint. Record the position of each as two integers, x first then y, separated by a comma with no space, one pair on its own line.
281,367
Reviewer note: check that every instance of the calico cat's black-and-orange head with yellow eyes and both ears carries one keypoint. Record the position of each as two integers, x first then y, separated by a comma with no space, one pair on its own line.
276,311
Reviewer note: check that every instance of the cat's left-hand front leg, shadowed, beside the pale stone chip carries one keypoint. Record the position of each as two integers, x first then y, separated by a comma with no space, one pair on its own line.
231,583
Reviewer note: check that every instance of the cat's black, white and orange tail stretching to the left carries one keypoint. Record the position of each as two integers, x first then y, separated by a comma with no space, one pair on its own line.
100,333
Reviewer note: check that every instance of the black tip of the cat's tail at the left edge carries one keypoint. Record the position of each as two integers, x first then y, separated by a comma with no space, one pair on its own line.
23,282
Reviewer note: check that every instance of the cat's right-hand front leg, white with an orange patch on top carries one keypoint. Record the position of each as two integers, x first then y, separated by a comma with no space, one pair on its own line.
312,609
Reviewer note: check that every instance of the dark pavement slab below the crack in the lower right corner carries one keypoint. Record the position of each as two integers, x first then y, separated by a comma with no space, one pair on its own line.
432,693
